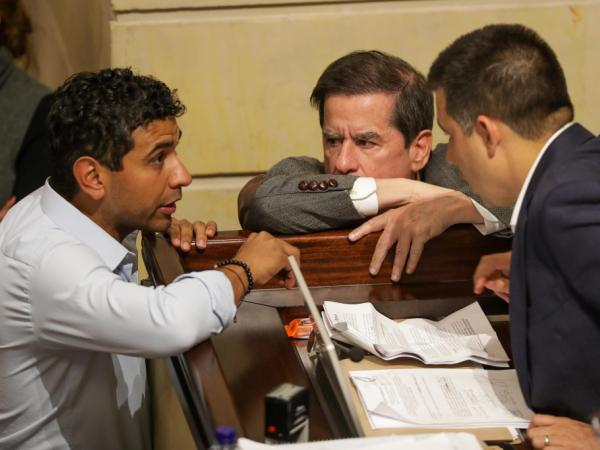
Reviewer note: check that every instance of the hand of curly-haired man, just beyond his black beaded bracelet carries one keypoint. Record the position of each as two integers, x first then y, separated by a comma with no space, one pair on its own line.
267,257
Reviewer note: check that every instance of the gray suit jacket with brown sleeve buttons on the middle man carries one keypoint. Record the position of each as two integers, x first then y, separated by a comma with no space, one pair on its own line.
280,206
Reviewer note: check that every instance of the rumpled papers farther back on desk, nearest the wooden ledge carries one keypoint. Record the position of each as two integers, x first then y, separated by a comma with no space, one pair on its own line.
464,335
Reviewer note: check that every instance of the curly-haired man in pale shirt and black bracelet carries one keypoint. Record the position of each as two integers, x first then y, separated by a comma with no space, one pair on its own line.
74,325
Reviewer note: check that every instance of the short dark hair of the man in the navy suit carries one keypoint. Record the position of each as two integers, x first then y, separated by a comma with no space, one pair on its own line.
505,71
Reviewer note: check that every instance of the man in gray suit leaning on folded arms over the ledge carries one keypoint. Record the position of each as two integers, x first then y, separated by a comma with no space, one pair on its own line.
376,115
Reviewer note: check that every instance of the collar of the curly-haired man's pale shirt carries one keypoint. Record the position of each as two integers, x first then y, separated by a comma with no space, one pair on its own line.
70,219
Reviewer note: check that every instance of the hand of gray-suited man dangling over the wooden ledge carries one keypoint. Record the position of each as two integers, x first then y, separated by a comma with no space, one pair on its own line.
409,227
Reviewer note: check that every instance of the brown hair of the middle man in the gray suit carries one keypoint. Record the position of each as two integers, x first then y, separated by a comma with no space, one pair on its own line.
370,72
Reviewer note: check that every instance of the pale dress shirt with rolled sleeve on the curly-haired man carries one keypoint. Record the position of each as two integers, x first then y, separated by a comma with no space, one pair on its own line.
75,327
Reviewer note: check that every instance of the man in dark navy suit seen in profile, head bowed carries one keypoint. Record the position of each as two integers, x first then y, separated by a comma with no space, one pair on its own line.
502,97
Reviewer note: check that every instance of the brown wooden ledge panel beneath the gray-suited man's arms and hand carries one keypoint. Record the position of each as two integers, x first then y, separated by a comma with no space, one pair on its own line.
329,259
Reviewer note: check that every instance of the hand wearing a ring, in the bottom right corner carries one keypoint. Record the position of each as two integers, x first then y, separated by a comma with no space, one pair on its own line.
554,433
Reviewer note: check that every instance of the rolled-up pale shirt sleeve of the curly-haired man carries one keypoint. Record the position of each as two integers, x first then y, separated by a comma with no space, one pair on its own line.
77,302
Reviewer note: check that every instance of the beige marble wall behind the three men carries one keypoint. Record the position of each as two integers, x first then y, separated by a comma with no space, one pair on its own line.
245,72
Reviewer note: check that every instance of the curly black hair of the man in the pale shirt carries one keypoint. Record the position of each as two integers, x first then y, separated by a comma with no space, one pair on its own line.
94,114
